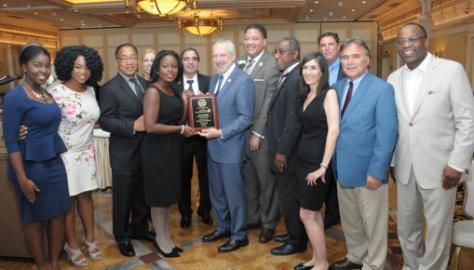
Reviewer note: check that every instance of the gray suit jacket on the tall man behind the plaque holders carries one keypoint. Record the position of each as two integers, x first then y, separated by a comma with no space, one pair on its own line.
265,77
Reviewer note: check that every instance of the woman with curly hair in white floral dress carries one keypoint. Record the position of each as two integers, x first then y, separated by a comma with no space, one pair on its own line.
79,68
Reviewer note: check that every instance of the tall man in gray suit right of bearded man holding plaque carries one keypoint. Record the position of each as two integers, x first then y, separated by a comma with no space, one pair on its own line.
260,185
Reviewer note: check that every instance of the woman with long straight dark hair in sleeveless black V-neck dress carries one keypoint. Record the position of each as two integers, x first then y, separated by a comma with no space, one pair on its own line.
318,114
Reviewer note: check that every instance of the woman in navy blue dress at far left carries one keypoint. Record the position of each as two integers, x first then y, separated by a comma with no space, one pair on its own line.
35,168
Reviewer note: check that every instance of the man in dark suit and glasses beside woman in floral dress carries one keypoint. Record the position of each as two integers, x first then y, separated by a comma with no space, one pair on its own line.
121,105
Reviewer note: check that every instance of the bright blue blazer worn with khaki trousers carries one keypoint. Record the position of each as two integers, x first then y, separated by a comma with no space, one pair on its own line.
368,132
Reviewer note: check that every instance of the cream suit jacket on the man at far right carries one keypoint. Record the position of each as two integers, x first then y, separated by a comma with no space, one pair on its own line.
440,131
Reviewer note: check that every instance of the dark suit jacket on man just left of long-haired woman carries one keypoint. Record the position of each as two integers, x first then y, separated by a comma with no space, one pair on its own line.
283,128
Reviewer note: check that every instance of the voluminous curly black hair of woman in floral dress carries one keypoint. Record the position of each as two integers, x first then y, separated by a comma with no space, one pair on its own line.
66,57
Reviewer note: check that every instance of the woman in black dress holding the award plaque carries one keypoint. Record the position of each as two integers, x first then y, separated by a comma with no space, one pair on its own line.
164,110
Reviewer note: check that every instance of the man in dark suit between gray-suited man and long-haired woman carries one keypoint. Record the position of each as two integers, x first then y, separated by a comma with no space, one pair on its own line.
282,135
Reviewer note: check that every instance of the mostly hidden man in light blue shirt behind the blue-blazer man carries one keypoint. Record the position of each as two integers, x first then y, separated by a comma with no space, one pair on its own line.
329,47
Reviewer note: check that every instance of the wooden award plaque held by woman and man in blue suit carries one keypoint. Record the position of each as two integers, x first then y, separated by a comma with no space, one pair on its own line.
202,112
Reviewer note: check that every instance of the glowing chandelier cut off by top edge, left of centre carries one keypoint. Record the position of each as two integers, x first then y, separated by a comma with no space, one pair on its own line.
160,7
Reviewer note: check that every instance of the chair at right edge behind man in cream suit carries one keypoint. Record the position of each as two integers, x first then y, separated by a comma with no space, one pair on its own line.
463,231
